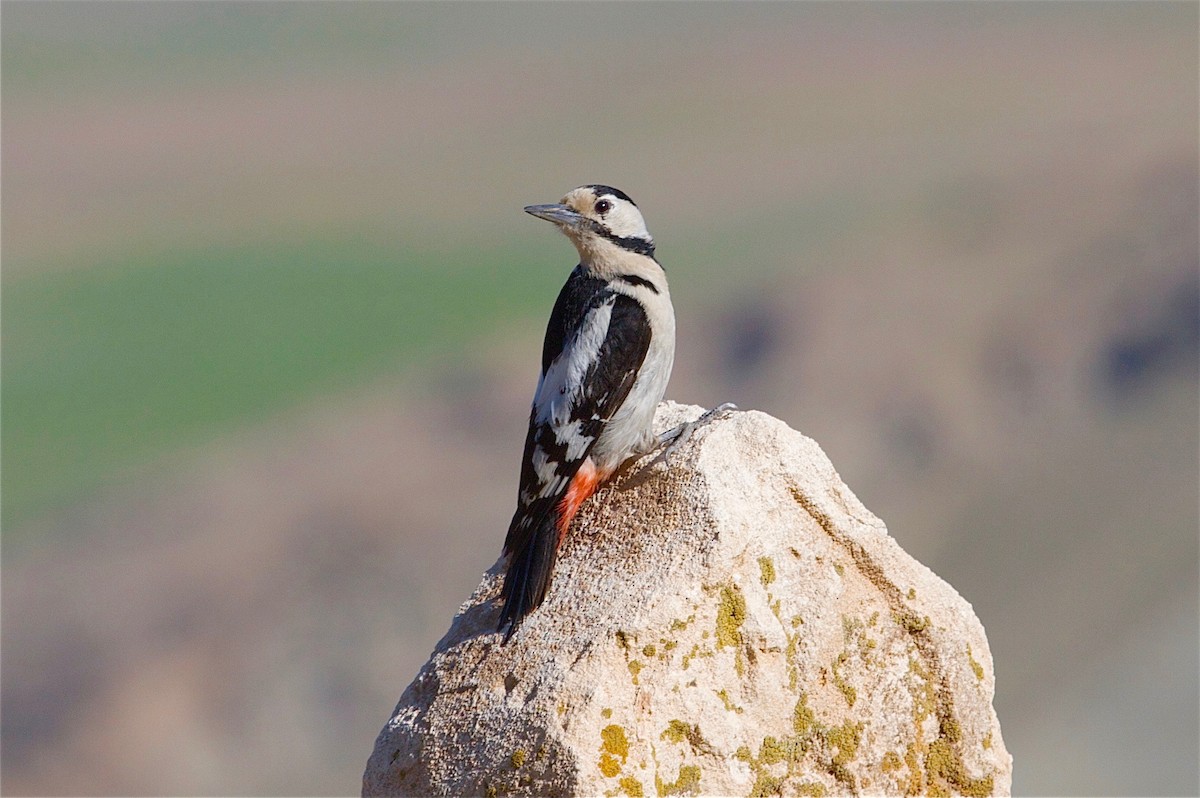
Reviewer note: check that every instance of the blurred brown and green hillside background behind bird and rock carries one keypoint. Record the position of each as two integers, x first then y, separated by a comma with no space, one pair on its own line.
272,319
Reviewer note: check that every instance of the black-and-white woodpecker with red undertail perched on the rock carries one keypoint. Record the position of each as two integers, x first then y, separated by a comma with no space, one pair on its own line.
605,364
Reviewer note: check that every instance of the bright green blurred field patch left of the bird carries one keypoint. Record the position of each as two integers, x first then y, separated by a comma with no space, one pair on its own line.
110,367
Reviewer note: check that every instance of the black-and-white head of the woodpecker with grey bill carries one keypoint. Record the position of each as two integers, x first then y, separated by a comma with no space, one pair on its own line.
599,221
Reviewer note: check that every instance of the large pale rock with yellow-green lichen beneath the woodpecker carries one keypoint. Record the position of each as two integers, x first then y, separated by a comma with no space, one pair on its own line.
736,623
